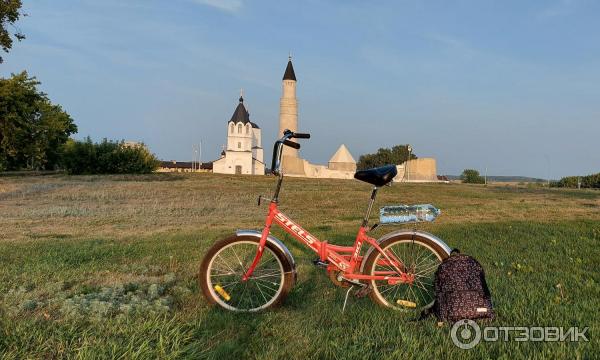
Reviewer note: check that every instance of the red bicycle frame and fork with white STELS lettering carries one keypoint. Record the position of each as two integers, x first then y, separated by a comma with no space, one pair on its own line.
345,258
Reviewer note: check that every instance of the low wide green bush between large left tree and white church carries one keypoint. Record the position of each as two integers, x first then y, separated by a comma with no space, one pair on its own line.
107,157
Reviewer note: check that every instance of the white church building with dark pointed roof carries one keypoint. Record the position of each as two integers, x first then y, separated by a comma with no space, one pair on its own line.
244,152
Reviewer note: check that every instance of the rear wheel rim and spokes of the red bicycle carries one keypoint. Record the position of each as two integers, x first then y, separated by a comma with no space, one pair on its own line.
419,259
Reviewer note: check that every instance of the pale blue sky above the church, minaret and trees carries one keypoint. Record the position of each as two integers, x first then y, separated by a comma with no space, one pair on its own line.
513,86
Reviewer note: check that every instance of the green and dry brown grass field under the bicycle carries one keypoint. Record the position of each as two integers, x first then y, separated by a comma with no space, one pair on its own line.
105,266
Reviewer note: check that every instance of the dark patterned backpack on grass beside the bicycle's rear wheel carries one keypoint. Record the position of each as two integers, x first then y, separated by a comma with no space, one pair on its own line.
461,291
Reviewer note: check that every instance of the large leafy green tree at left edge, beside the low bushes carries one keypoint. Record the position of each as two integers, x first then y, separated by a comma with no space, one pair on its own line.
32,129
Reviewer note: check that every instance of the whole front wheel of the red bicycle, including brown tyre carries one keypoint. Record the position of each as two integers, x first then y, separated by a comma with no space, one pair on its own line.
226,263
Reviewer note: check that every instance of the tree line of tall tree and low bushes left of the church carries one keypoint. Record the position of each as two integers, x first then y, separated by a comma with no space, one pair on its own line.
35,135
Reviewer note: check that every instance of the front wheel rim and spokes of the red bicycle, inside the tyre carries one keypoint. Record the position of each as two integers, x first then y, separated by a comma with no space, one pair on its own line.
228,266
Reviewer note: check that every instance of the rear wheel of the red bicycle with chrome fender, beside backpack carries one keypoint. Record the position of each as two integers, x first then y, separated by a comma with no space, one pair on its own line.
420,258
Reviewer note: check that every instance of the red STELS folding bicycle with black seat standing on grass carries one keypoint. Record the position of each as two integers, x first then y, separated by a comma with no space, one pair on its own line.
252,270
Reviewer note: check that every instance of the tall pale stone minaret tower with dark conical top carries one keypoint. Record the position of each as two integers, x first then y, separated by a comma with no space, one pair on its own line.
288,106
